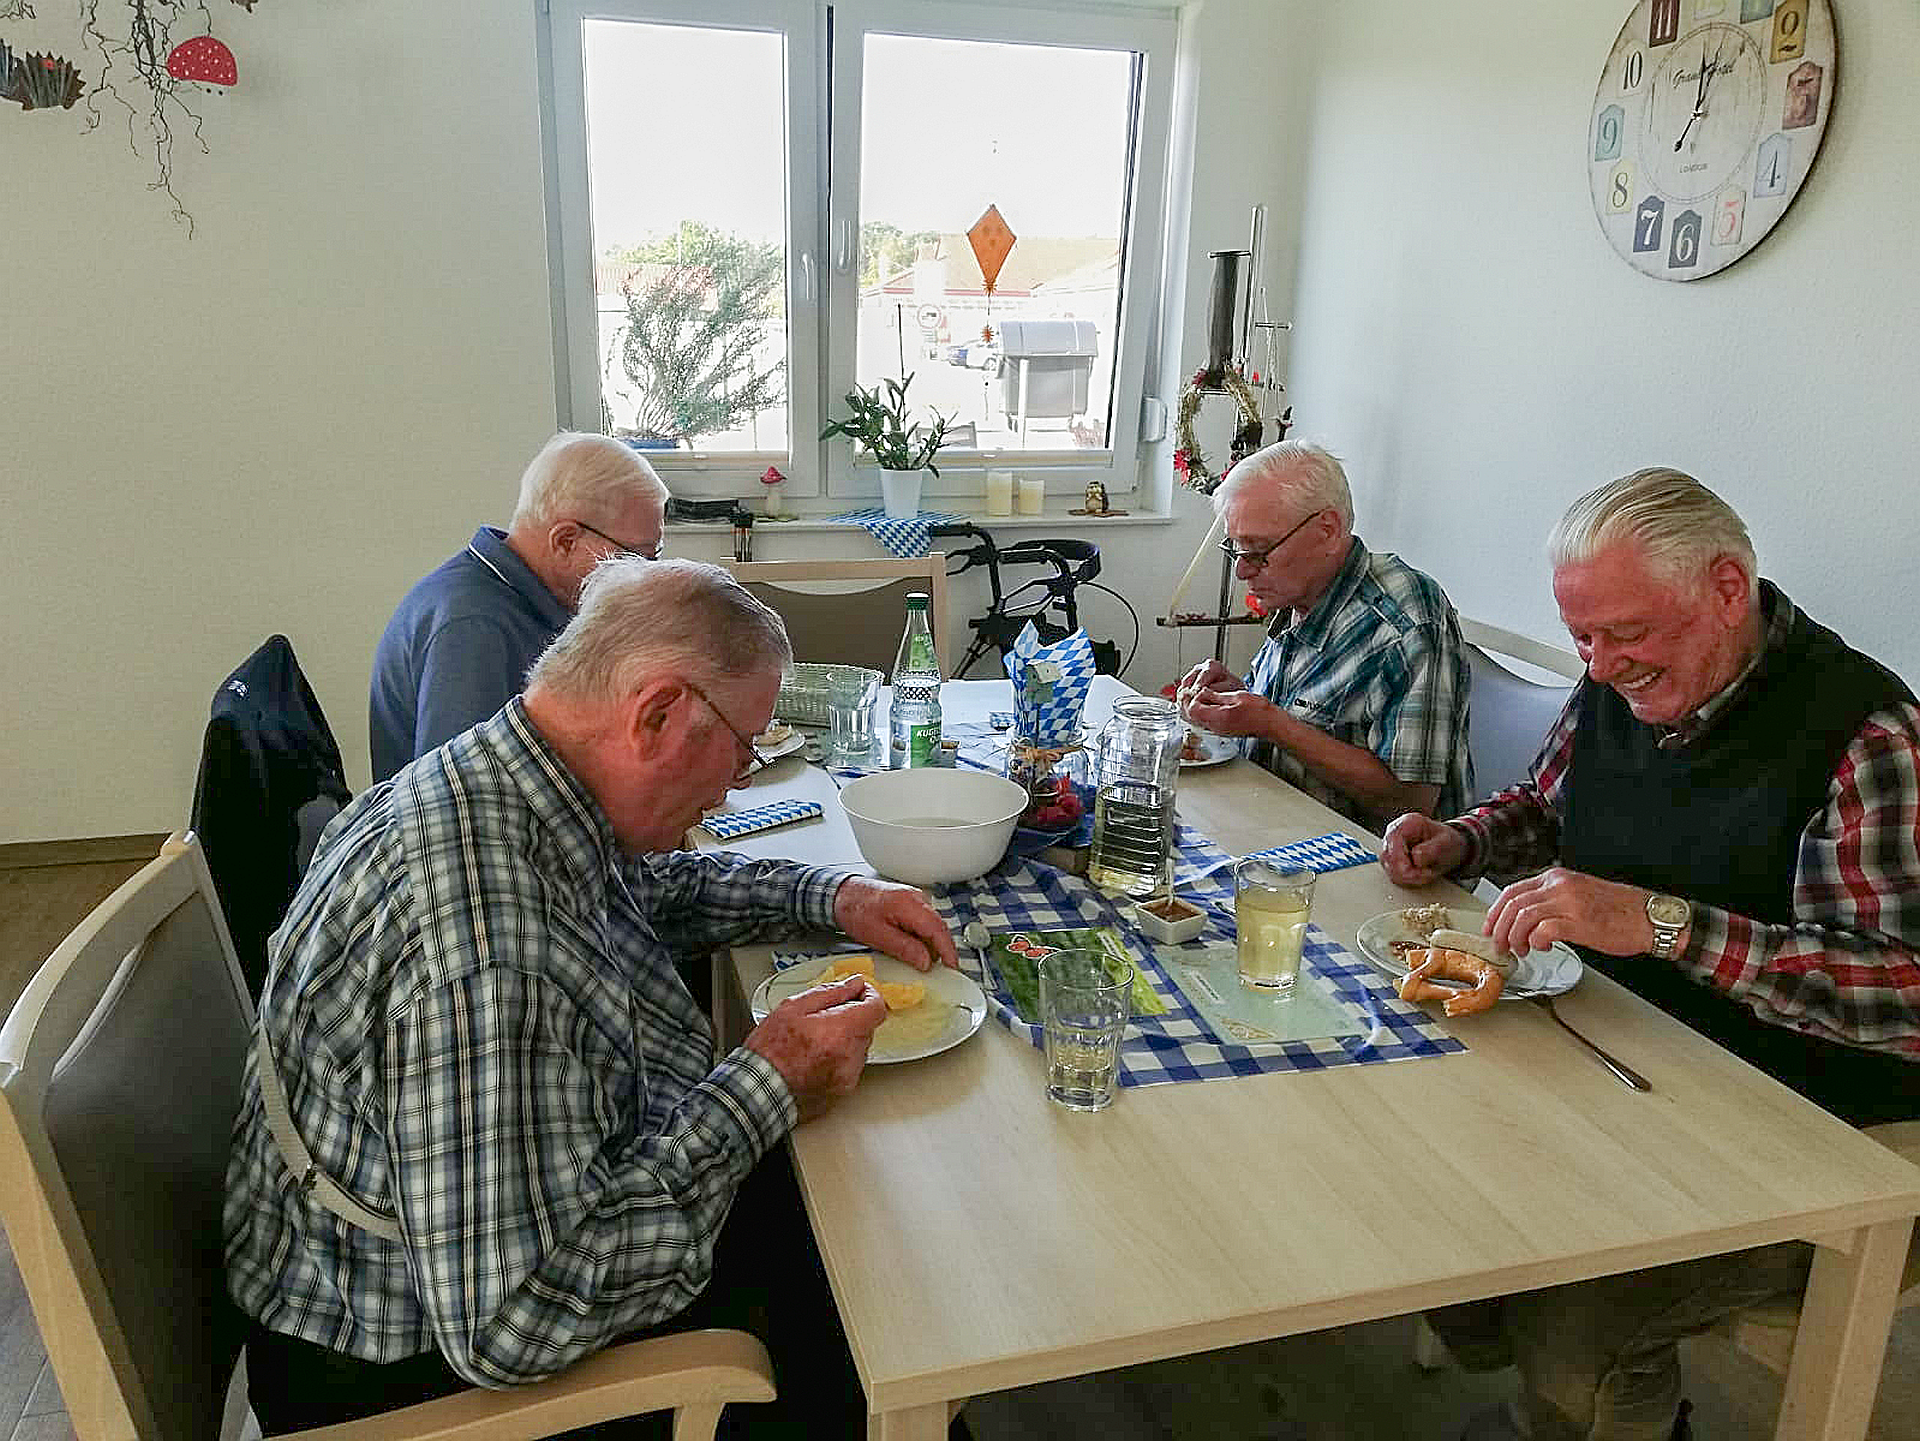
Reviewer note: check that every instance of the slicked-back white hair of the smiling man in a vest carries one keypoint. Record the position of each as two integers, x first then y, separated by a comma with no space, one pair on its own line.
1679,525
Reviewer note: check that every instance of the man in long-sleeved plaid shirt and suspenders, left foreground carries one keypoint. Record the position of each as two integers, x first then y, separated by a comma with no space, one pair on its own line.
477,1022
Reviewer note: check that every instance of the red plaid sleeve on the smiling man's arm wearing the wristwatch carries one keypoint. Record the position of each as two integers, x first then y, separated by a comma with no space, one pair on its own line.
1848,968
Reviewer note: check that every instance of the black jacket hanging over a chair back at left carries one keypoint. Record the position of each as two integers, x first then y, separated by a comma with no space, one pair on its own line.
270,780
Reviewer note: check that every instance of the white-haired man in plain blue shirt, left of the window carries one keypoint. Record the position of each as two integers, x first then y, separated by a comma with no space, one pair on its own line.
464,638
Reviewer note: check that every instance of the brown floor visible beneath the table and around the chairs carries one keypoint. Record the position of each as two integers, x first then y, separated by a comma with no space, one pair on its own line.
1349,1384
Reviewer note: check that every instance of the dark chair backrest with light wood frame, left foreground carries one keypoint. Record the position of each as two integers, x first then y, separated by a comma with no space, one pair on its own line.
120,1079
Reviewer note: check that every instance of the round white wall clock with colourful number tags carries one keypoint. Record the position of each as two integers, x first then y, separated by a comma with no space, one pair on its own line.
1706,122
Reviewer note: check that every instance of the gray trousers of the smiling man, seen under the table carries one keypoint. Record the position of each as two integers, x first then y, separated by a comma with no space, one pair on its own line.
1600,1359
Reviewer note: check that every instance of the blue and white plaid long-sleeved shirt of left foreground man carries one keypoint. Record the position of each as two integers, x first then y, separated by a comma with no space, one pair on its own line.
475,1008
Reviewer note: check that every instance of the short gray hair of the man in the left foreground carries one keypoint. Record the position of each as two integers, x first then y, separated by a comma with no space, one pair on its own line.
644,619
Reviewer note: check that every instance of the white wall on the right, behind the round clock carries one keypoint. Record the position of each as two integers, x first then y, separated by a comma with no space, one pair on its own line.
1477,352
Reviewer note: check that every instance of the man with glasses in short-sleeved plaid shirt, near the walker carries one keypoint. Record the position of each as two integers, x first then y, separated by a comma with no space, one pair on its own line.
1360,692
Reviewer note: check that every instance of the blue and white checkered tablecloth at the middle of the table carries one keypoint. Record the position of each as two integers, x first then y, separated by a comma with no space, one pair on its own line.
1026,895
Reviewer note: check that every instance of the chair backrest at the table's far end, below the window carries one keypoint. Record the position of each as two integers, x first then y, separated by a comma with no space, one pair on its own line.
850,611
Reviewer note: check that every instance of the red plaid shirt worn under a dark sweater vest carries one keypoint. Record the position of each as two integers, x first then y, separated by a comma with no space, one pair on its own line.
1856,886
